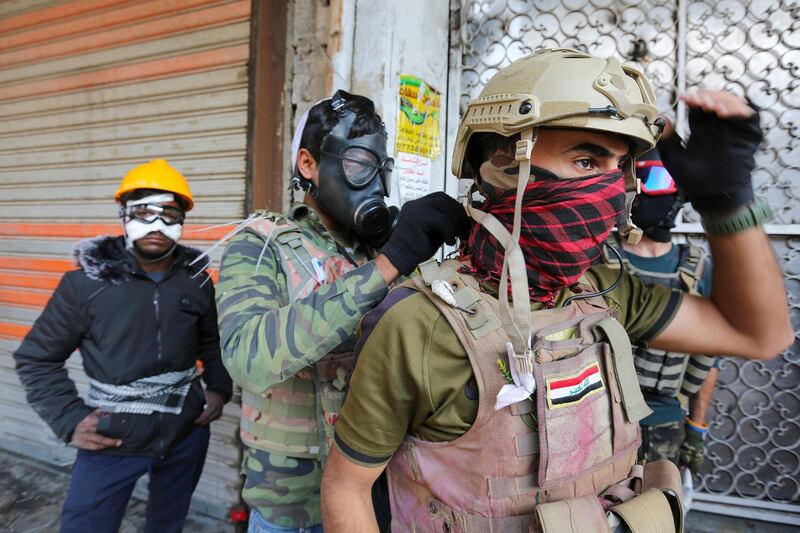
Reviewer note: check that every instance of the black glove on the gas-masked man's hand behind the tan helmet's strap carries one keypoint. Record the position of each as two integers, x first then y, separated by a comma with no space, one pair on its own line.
423,226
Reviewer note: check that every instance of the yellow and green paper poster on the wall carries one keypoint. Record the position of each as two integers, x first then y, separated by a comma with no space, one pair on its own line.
418,119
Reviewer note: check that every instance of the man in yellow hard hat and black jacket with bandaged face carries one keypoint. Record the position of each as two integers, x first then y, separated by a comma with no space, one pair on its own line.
141,316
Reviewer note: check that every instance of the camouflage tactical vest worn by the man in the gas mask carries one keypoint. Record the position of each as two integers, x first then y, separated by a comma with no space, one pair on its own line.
296,417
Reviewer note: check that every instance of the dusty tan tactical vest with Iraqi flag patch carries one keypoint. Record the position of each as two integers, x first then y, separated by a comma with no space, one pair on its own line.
552,465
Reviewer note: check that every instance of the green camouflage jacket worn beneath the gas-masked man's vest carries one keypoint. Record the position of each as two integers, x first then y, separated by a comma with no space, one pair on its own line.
267,339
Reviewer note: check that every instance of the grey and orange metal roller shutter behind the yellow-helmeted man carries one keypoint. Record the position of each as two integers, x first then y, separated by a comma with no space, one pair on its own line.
88,89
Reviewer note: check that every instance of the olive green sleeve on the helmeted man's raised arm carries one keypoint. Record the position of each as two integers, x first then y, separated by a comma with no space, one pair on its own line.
645,310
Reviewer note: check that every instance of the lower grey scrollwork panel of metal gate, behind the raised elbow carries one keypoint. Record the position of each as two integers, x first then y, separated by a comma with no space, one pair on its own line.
754,417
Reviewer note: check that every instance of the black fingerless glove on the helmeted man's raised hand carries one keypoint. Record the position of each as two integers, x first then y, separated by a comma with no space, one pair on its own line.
716,165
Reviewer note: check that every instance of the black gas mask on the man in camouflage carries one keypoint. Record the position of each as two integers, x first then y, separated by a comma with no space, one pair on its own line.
354,178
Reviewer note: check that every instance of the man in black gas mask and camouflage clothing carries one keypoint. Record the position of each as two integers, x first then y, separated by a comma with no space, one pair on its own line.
293,288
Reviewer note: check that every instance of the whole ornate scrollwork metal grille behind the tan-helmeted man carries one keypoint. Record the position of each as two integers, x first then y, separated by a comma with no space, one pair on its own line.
751,48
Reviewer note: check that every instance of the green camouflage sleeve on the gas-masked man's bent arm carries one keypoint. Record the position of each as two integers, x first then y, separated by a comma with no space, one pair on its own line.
265,338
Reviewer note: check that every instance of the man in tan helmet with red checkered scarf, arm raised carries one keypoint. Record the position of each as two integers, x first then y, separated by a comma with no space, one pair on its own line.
498,390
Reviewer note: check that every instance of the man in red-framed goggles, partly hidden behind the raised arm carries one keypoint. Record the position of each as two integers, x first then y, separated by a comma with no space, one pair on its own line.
672,382
